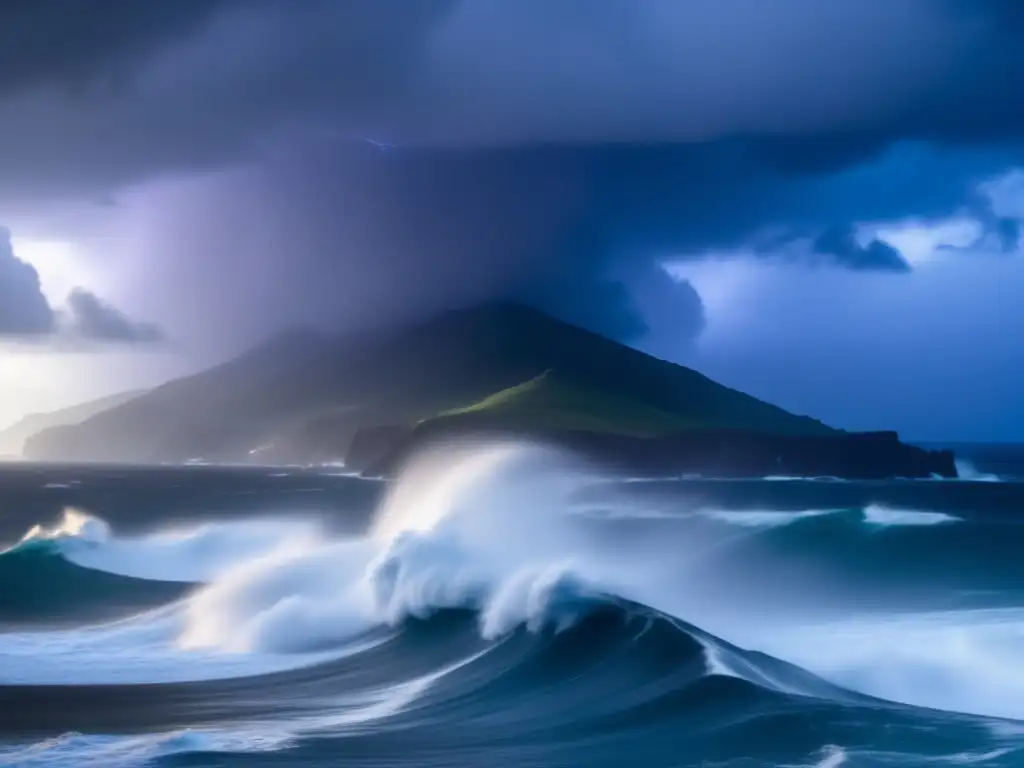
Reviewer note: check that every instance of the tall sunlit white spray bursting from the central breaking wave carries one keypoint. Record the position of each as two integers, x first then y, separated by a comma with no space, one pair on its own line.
458,531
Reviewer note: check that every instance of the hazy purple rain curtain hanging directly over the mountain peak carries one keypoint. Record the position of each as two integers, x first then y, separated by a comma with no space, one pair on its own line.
350,236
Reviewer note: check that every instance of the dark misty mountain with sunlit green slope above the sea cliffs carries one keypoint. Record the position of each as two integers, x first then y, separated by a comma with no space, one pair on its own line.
500,367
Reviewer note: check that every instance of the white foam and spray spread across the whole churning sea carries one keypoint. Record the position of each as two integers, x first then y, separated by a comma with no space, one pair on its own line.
489,530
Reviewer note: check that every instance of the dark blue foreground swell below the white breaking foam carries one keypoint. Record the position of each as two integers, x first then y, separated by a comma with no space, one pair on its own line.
620,680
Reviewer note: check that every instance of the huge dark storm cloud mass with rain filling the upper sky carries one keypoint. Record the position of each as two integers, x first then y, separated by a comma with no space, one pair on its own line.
553,151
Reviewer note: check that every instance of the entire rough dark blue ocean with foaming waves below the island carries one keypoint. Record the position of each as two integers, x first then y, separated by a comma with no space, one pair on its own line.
505,607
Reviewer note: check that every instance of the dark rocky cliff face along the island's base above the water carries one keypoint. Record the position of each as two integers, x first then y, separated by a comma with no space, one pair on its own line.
708,453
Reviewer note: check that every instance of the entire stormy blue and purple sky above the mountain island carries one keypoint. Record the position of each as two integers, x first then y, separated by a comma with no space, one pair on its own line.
820,204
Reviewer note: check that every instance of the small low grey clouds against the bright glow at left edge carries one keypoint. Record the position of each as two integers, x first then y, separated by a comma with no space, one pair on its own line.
26,313
